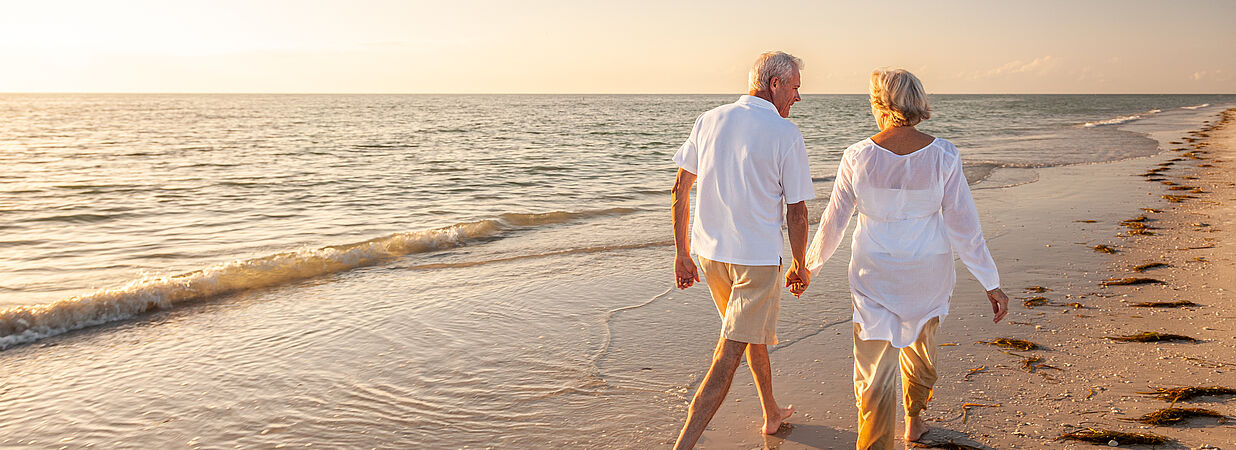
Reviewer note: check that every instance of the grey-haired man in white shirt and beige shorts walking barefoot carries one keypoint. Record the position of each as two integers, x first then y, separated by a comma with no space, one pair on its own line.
747,159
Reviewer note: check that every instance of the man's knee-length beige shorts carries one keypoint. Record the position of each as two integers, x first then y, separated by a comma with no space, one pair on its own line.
748,300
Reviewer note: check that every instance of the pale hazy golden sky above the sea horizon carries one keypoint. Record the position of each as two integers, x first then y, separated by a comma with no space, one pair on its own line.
622,48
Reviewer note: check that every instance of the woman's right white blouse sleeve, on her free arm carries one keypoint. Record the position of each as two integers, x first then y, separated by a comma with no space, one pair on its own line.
965,233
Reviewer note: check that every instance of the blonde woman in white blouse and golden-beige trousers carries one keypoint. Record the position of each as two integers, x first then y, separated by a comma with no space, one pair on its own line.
914,212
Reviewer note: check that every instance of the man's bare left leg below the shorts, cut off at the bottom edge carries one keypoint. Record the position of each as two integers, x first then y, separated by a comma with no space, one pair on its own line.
713,391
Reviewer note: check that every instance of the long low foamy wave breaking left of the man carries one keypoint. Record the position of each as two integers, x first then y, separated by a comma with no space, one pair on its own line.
30,323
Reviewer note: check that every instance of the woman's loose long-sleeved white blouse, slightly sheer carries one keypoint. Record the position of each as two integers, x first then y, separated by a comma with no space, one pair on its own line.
914,212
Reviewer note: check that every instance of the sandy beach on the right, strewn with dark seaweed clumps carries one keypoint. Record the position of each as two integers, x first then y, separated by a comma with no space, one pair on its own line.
1177,208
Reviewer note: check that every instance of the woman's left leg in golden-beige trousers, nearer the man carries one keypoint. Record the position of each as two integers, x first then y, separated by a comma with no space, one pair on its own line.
876,367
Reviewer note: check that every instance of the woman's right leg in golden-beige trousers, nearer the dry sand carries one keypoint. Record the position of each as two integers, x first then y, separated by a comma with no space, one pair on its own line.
918,378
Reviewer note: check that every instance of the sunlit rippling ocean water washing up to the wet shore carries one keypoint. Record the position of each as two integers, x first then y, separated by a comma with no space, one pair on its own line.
375,271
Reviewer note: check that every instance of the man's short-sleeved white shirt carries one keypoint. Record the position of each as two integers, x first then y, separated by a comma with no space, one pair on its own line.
750,161
